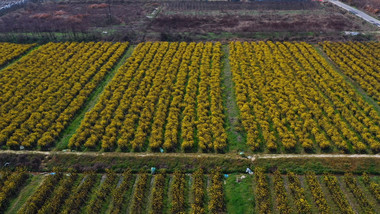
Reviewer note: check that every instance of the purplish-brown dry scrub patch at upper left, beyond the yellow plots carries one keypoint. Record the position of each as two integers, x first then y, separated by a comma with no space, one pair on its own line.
51,17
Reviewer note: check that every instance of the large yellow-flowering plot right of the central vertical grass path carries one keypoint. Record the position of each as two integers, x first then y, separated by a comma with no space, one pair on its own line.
292,100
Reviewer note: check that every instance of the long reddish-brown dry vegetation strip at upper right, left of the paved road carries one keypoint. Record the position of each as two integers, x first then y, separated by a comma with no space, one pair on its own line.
257,23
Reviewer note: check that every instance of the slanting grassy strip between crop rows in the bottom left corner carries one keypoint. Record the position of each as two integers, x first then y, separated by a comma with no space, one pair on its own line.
33,183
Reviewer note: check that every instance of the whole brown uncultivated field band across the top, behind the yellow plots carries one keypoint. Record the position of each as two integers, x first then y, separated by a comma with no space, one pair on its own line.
189,21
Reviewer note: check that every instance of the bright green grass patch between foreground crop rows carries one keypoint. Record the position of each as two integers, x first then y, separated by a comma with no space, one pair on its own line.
239,195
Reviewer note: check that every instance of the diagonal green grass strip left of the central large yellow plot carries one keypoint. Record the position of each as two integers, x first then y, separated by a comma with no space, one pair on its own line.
90,103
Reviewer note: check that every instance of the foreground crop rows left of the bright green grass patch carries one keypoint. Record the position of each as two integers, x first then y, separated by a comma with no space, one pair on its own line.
60,192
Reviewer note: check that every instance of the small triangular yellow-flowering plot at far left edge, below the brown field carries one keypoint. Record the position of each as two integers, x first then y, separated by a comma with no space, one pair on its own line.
9,51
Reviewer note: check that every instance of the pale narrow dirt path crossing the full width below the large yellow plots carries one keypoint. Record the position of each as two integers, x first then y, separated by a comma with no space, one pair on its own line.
228,155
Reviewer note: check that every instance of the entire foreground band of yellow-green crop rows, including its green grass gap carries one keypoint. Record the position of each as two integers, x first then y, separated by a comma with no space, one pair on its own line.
199,192
